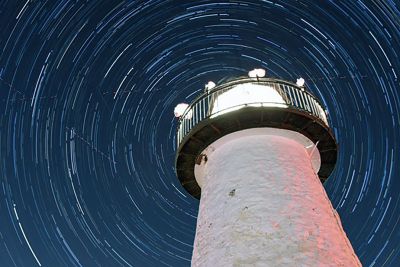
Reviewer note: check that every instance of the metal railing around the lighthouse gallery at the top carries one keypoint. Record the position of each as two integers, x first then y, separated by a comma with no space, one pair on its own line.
293,97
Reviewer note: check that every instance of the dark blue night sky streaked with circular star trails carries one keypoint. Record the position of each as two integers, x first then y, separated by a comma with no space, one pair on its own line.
87,131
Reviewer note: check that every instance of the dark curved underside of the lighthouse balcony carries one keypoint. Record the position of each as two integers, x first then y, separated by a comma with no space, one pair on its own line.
210,129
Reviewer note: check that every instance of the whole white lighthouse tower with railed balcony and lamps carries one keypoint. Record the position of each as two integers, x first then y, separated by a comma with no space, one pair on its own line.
255,151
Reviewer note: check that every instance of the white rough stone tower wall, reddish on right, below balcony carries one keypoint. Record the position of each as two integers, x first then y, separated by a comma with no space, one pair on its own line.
262,204
